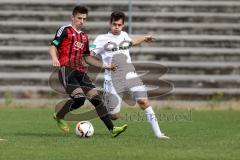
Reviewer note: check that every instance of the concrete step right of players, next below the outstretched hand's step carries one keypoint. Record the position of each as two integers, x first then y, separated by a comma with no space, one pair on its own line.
186,54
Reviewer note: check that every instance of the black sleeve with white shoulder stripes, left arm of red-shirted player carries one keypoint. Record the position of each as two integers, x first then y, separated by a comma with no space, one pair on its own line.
59,36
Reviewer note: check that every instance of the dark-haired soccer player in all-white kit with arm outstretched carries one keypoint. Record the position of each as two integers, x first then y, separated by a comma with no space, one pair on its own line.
113,47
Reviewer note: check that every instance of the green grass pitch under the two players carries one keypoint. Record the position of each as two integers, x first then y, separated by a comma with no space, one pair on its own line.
195,134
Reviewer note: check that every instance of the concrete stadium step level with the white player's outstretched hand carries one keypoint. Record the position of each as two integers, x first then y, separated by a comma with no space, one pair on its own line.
208,41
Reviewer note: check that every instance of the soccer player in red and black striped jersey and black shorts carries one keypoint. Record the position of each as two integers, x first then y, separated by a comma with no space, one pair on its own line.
69,51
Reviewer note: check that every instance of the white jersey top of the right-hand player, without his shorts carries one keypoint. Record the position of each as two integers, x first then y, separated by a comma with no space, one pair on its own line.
108,45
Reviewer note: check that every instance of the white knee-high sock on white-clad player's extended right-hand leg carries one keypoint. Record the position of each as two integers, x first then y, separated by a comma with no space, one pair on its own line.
151,118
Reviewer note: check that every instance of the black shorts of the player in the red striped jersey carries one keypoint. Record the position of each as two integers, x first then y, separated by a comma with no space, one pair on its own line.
72,79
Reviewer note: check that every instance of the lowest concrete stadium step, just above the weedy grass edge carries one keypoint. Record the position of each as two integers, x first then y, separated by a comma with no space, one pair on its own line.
30,92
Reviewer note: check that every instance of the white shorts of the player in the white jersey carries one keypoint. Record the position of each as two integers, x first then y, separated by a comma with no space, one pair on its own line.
113,99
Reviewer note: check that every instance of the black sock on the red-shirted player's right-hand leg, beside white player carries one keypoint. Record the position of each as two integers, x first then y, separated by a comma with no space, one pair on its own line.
102,111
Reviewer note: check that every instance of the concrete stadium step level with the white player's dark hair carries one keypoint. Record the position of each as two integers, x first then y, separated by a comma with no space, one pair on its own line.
28,15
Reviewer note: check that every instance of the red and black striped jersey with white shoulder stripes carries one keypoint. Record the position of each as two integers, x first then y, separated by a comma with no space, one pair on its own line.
71,46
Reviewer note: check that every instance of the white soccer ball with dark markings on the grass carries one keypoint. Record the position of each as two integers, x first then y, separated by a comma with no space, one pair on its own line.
84,129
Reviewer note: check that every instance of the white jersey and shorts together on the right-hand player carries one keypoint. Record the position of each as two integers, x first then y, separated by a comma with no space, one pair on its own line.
114,49
